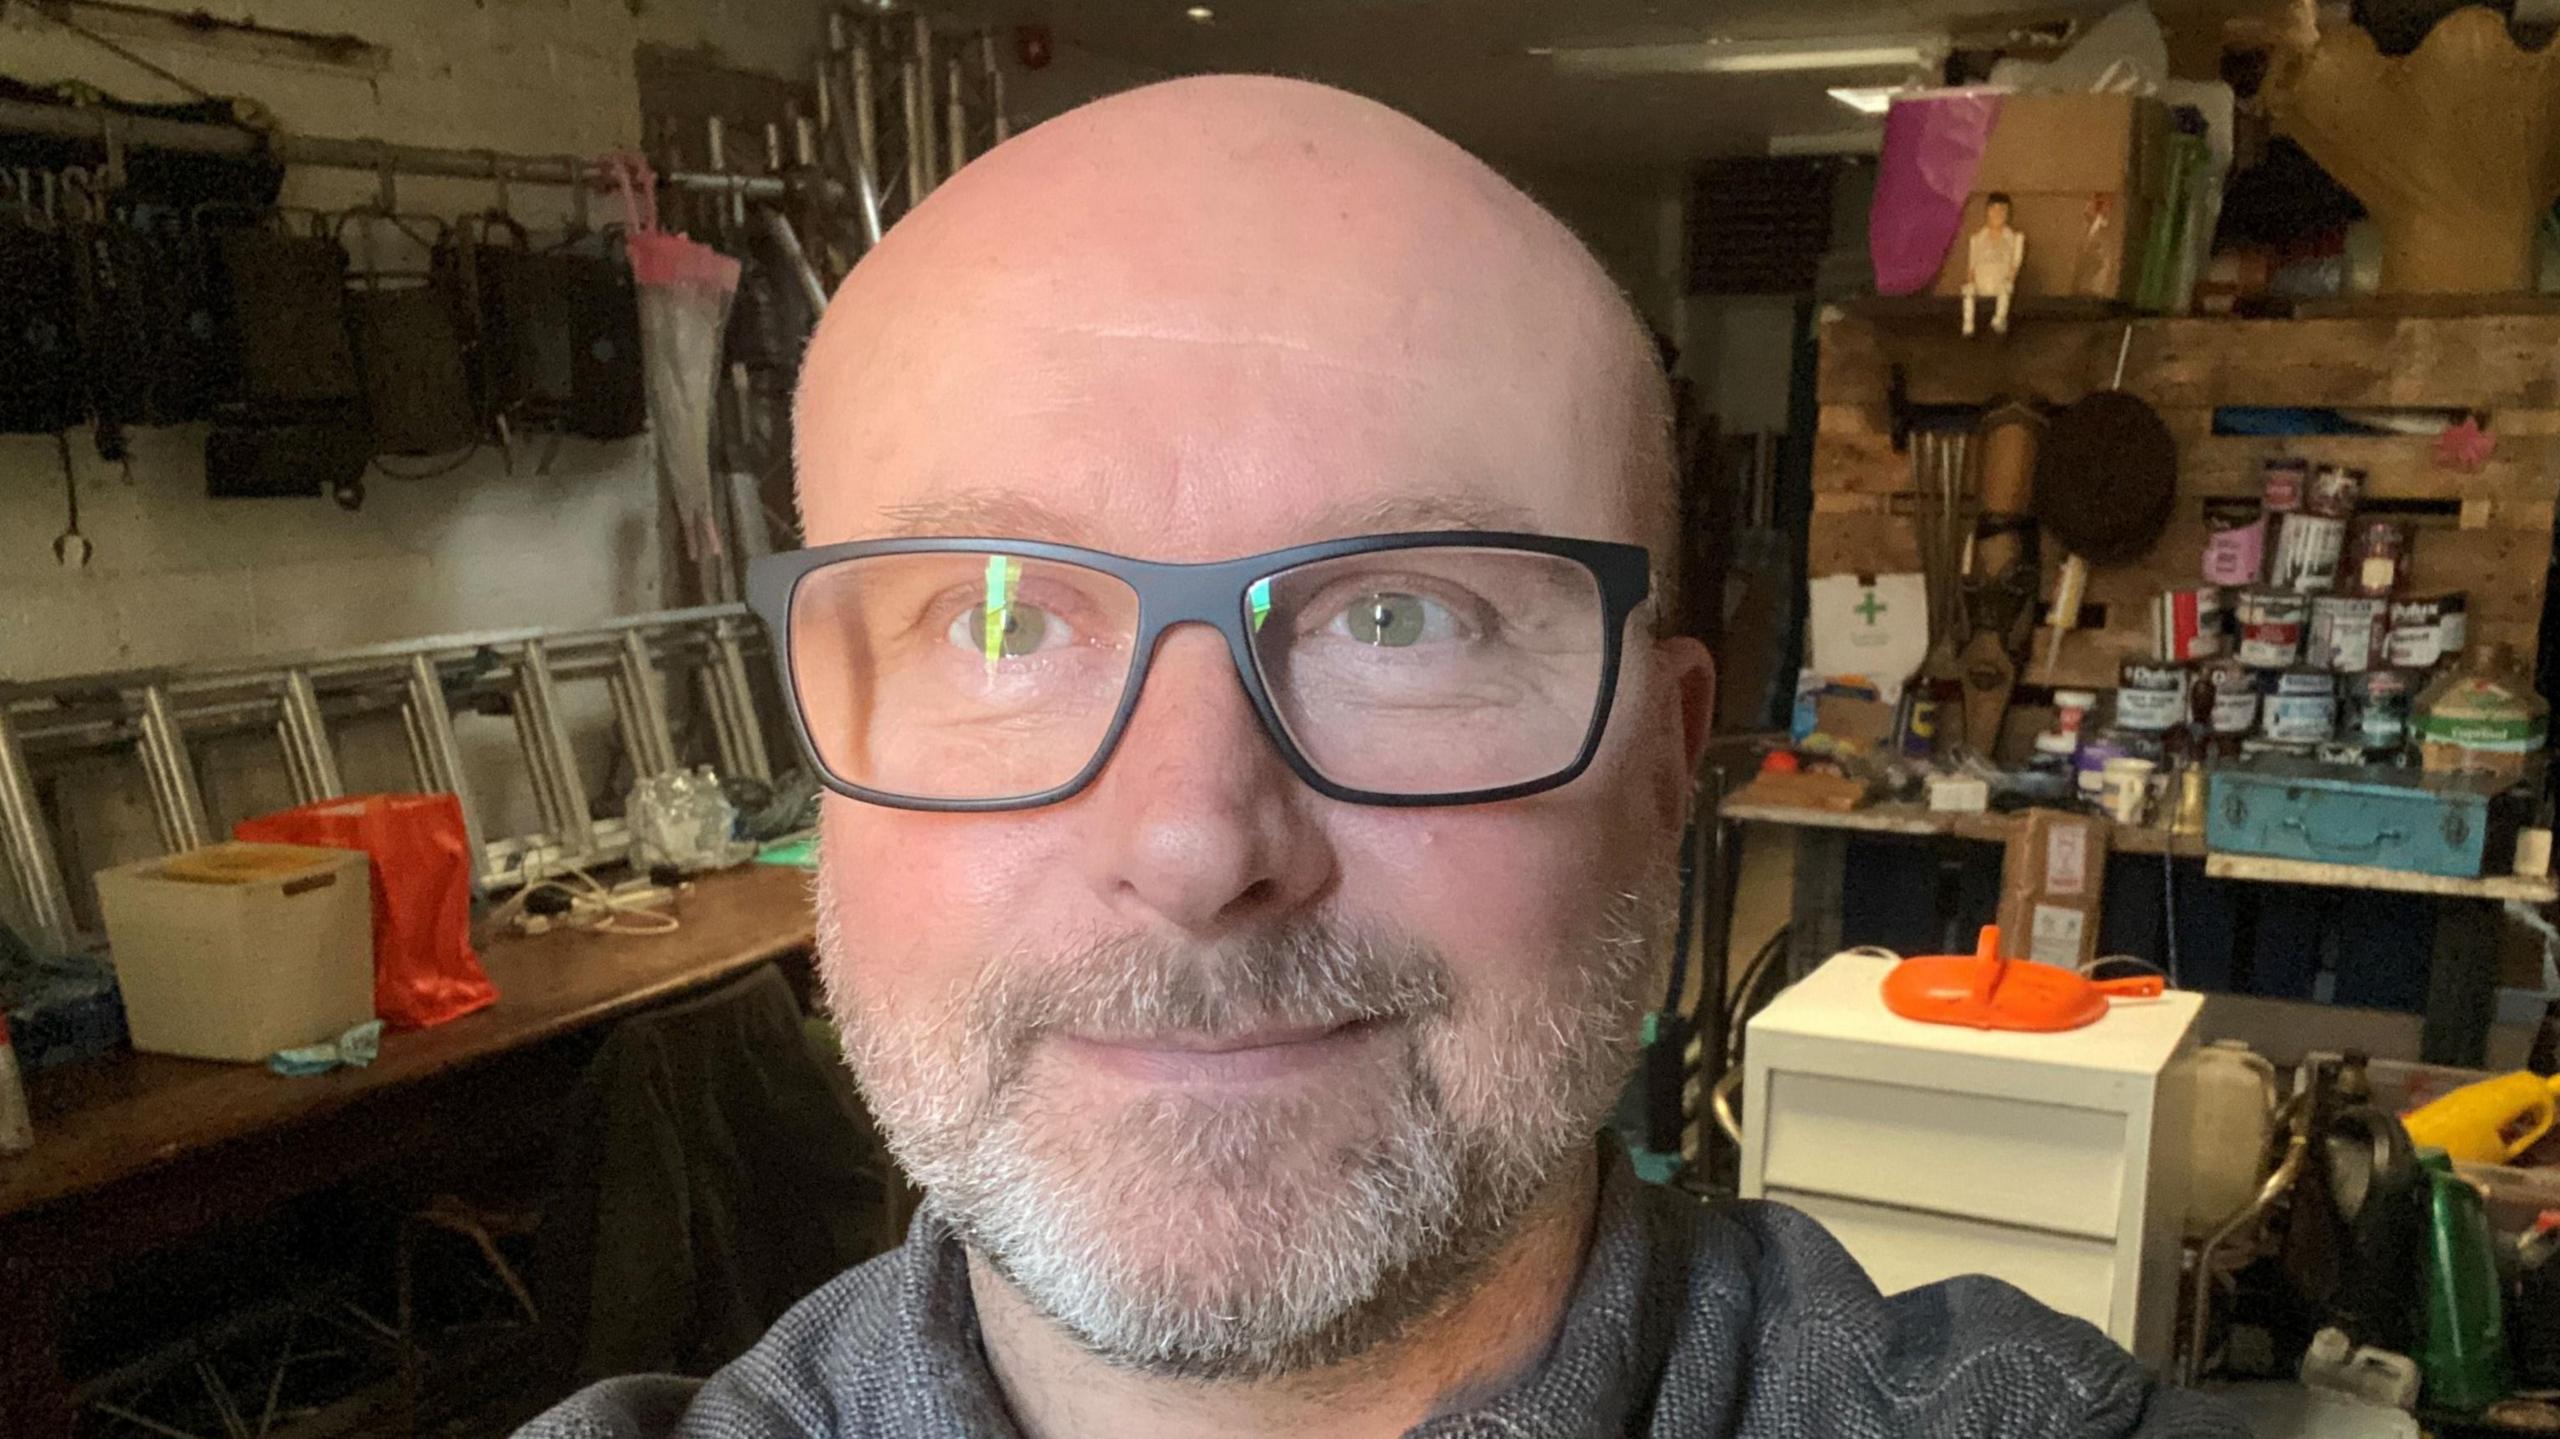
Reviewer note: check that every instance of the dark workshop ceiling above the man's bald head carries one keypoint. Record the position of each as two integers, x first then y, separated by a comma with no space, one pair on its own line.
1460,63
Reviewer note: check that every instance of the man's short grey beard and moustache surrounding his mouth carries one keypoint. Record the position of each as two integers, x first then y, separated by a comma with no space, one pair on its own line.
1212,1241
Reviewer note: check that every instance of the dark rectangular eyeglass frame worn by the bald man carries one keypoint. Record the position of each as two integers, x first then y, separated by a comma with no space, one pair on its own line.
1212,595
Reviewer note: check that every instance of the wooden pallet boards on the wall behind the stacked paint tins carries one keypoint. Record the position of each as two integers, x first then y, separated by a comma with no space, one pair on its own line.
2487,534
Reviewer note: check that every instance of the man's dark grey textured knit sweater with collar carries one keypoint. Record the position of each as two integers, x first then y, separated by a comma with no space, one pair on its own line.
1691,1320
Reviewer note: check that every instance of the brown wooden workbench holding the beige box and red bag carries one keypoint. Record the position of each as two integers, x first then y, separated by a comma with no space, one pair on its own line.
142,1151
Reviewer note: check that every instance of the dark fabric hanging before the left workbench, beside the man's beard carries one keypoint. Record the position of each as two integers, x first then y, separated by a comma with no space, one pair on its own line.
713,1179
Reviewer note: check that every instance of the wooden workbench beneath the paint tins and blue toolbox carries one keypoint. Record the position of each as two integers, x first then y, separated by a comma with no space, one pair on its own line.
2461,979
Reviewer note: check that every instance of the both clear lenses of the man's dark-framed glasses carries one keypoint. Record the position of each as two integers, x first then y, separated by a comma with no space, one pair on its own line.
1399,672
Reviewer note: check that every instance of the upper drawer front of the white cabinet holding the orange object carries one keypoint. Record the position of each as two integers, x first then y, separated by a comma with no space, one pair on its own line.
2006,1161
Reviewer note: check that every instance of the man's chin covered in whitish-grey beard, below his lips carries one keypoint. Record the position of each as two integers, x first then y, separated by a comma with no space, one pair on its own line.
1230,1238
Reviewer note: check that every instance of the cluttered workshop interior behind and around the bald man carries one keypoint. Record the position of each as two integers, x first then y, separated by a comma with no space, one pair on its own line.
2118,467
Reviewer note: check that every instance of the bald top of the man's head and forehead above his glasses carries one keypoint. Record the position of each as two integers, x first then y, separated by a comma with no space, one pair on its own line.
1230,314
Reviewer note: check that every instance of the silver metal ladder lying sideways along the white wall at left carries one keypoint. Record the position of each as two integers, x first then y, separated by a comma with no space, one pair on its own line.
155,716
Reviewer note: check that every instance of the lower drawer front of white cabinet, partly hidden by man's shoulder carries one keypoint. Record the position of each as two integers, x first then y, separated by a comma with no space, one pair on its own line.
1906,1251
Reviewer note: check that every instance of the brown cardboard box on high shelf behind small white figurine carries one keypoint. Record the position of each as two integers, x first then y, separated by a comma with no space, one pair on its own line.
2083,175
